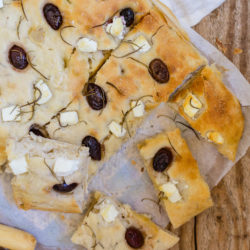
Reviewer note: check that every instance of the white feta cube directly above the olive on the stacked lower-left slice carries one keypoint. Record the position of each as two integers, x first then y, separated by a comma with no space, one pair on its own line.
65,167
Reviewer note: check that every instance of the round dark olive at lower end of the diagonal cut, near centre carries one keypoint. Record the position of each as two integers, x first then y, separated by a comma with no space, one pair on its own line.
96,96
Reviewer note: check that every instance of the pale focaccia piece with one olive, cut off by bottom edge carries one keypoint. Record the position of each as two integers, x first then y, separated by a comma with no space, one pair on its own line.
109,224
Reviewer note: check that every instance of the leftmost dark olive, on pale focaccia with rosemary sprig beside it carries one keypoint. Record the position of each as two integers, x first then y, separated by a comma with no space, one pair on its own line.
18,57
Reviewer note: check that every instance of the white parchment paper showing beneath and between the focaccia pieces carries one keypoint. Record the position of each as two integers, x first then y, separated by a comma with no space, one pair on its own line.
125,180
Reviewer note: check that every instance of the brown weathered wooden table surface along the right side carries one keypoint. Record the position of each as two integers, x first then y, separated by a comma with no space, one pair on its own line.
226,226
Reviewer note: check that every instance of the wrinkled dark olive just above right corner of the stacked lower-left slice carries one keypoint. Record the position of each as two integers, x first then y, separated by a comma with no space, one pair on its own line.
94,147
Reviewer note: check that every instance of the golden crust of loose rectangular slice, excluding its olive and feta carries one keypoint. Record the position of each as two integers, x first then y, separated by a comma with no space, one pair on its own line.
184,170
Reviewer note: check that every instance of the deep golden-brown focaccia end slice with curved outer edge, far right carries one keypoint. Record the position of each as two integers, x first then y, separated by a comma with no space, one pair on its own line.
212,110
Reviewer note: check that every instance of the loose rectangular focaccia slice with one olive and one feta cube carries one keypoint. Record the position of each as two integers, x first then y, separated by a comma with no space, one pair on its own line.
176,176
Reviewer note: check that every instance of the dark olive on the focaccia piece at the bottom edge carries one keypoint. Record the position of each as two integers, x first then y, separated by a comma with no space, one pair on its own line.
134,237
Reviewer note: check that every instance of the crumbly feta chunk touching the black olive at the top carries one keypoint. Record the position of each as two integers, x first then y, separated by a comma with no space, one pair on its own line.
117,27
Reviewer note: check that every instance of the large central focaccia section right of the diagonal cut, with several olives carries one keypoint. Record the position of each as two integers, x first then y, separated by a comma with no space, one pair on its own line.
124,91
